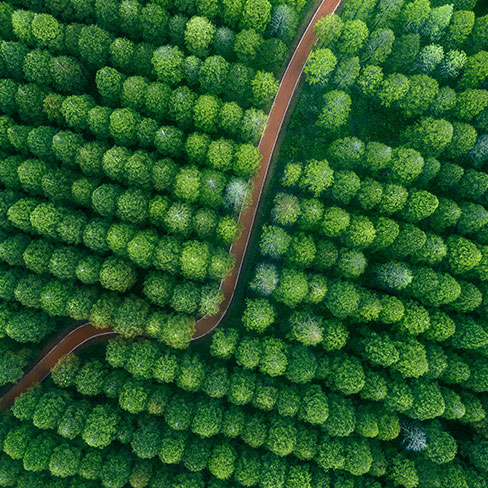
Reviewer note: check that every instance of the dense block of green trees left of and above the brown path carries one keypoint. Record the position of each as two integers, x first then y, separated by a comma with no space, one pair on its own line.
128,136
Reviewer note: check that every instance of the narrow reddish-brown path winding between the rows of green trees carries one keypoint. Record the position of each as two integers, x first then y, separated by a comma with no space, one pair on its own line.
84,334
